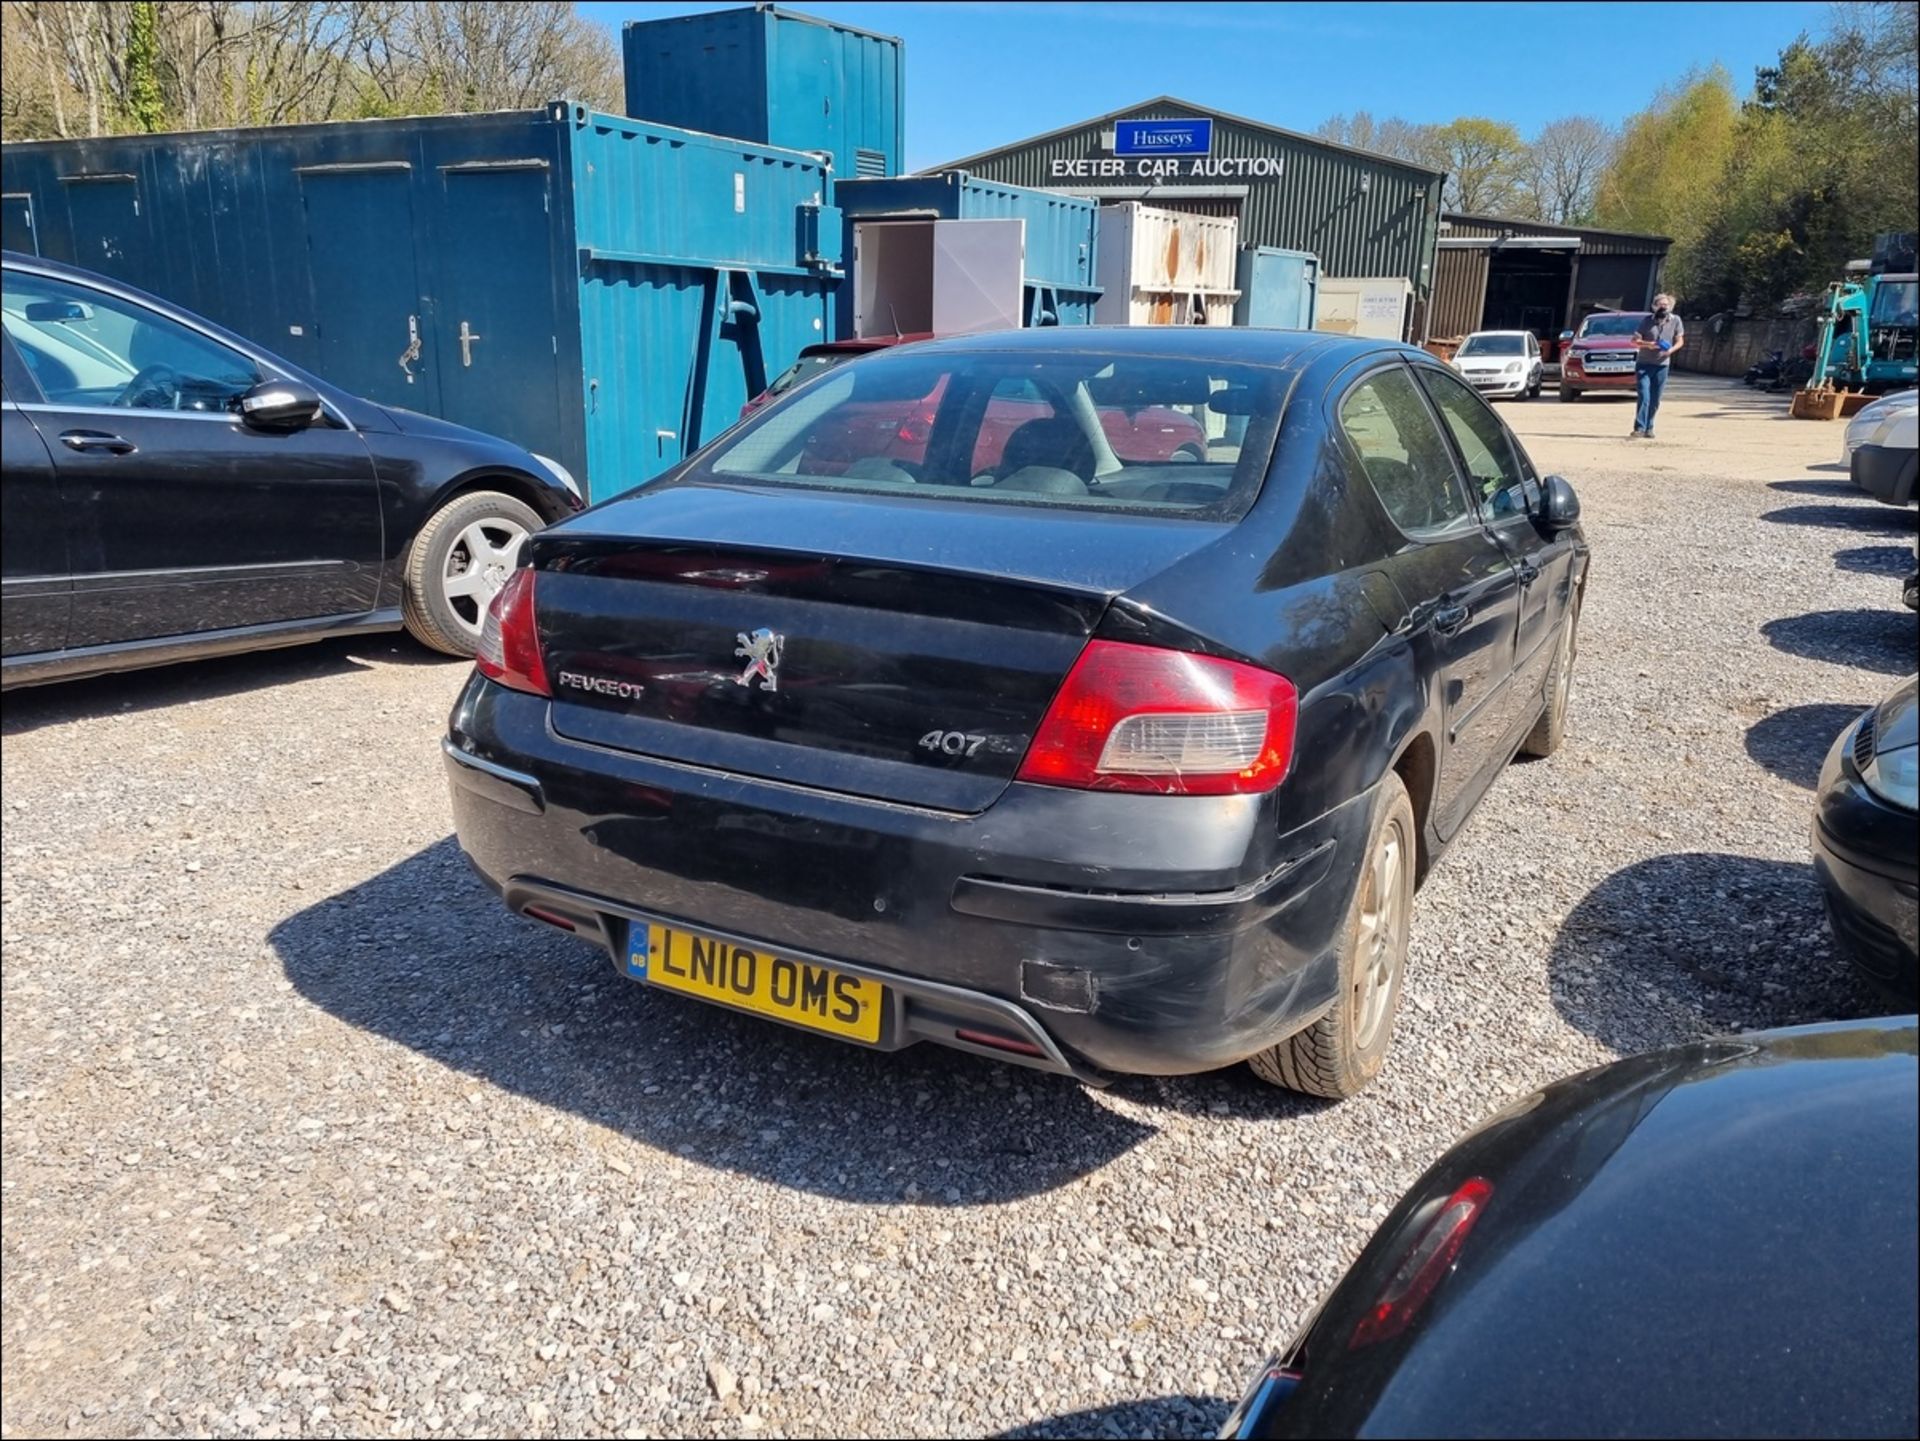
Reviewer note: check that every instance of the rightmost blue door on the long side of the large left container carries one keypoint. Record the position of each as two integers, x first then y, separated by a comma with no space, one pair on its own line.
494,319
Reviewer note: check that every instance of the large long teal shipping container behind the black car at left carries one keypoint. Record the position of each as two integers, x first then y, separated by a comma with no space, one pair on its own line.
596,289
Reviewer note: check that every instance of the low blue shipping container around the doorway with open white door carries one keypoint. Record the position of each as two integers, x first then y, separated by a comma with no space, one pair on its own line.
1063,233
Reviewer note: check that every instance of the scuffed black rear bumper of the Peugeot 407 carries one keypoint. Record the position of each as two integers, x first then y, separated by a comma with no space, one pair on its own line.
1113,933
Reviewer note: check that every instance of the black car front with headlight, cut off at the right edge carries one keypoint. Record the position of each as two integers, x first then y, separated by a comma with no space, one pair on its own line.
1867,841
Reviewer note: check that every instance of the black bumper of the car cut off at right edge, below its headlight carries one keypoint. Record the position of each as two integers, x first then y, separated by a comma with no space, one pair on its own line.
1869,864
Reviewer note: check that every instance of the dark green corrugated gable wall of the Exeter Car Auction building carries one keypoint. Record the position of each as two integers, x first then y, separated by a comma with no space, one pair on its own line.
1364,216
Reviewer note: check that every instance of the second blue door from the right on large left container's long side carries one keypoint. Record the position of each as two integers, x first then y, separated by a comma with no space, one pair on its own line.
366,325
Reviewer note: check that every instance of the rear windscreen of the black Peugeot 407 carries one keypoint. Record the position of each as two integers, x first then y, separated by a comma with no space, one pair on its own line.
1072,429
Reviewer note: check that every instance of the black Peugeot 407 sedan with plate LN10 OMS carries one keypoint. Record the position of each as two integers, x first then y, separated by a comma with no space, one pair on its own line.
884,724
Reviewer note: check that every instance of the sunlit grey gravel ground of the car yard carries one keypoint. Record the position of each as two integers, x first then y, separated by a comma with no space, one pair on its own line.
304,1135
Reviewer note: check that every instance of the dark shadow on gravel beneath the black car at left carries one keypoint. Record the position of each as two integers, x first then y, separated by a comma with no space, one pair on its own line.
208,680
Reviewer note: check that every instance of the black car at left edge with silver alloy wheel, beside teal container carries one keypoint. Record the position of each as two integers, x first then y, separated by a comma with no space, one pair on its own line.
174,492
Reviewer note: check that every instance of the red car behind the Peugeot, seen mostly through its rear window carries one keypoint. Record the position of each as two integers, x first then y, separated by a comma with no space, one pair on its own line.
1149,435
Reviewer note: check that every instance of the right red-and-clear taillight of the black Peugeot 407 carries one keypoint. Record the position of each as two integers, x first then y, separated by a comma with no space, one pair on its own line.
1168,722
